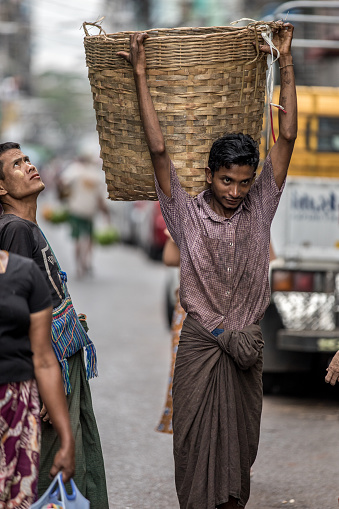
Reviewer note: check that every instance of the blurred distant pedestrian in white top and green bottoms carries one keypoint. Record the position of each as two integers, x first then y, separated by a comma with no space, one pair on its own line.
82,187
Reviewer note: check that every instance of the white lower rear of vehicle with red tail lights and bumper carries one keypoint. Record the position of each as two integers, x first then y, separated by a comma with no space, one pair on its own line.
301,325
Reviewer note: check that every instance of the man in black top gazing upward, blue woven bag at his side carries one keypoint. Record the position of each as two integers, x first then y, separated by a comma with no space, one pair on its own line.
20,186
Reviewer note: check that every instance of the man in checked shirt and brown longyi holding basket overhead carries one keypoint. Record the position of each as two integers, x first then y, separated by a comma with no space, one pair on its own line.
223,235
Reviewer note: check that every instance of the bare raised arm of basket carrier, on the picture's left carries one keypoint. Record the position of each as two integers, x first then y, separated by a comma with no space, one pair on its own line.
154,137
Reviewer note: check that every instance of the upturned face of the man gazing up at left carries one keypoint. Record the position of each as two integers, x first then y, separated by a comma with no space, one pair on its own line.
21,176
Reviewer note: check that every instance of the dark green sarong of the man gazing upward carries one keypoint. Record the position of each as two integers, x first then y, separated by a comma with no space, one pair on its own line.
89,464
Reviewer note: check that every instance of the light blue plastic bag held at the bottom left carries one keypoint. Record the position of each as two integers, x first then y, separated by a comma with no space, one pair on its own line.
56,494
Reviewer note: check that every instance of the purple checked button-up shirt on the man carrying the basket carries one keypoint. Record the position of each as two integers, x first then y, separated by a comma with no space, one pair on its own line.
223,262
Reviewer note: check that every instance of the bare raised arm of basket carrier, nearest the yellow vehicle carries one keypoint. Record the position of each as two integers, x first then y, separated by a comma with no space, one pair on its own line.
281,152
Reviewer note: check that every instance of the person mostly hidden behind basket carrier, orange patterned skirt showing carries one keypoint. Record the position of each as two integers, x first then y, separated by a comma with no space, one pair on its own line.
171,258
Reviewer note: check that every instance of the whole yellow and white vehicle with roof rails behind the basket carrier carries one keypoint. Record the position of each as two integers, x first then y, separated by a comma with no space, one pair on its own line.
301,324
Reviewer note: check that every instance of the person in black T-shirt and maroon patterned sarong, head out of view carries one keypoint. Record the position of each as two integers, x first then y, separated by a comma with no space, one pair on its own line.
28,364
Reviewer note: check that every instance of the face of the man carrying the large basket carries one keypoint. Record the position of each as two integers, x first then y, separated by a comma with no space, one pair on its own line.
230,186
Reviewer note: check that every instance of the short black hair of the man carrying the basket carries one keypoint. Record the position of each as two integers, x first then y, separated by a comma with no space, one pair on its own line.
230,149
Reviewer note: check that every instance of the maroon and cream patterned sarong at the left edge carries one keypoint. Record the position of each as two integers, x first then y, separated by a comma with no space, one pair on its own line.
19,444
